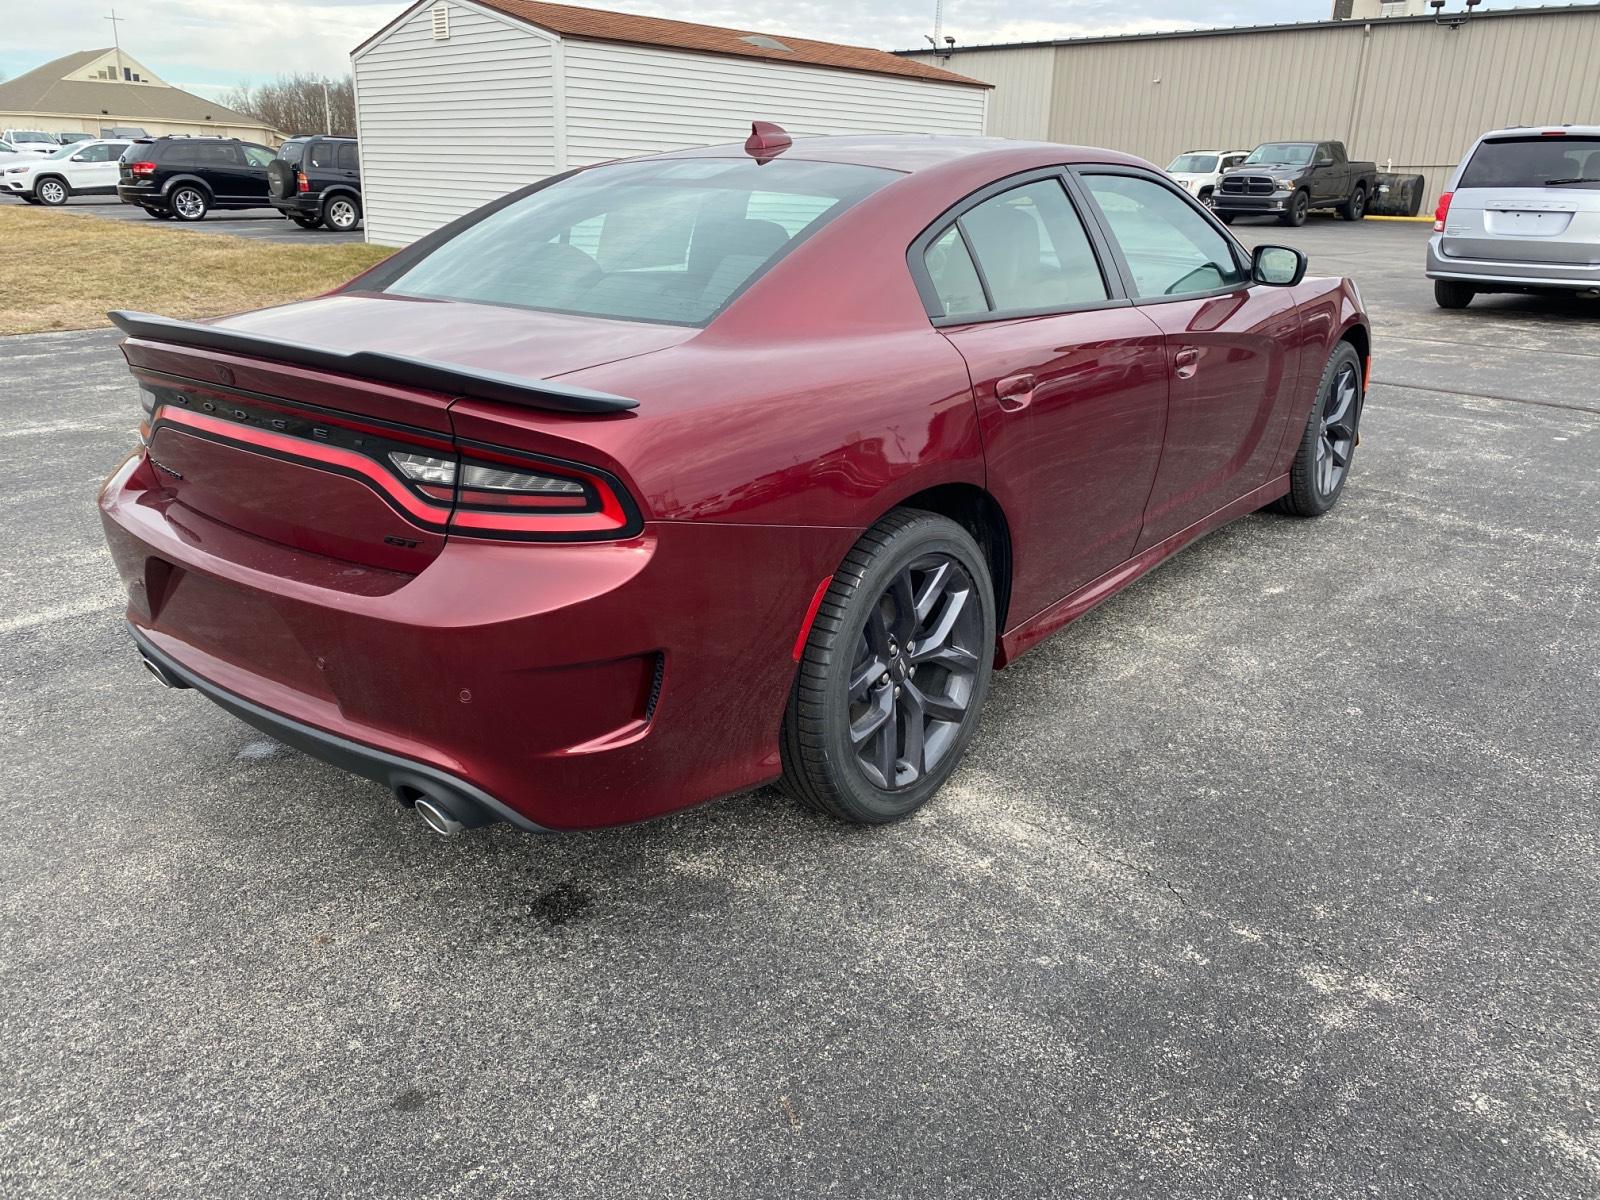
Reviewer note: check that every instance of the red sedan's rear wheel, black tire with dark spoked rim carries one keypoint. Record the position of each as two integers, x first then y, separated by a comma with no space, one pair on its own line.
863,631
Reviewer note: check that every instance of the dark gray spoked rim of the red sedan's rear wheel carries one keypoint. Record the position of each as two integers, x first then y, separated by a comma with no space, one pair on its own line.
916,671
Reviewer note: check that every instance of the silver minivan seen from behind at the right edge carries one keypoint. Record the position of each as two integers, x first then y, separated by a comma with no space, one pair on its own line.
1521,214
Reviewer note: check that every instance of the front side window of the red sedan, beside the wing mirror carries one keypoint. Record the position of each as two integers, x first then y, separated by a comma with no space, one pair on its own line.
1170,249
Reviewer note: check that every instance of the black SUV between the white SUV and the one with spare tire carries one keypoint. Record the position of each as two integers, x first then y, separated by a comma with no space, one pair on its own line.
190,177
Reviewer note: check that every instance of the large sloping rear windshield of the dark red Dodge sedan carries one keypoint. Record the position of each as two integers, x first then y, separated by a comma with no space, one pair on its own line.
668,241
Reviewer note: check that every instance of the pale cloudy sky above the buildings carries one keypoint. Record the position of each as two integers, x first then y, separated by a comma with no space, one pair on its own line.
212,47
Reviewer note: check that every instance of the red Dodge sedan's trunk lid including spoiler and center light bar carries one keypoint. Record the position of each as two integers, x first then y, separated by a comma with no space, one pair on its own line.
340,450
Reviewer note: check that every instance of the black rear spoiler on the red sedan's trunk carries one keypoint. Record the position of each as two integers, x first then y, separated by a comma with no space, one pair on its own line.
390,369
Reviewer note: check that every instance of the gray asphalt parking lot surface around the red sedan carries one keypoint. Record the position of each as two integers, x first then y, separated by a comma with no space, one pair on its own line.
1273,878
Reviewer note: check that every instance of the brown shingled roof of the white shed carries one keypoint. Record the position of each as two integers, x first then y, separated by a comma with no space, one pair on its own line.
652,31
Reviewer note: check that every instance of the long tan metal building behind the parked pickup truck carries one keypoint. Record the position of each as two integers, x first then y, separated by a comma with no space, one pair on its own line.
1402,90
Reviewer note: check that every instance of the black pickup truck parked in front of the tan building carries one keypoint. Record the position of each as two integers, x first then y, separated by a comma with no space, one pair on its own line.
1289,180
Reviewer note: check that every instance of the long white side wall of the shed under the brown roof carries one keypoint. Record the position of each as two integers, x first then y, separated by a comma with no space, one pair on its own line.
626,100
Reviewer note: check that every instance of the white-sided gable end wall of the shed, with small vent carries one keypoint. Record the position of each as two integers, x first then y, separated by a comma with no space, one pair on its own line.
447,127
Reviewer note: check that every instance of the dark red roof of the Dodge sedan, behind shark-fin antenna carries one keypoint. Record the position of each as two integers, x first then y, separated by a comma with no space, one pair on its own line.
914,153
